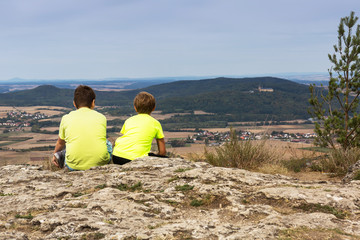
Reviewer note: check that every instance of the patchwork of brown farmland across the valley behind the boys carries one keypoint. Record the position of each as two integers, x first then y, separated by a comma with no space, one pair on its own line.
23,145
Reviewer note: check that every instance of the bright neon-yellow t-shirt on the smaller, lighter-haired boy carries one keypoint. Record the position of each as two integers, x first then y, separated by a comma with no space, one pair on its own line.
138,134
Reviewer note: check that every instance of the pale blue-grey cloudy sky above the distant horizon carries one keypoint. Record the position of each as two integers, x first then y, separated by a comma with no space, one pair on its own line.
98,39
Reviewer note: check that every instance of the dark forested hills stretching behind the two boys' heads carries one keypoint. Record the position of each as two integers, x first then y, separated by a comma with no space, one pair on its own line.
230,99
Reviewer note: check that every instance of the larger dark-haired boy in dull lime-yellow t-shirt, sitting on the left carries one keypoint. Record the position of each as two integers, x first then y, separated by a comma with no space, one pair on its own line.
83,132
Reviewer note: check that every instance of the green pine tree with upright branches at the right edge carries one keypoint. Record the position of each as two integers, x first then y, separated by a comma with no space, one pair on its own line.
337,121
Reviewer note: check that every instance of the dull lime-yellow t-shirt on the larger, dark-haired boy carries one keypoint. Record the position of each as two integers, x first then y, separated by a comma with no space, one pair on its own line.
84,132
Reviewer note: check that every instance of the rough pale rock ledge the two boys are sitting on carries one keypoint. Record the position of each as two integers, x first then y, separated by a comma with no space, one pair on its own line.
155,198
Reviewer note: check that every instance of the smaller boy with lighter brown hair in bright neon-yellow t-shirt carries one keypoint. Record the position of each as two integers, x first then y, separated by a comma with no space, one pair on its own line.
138,132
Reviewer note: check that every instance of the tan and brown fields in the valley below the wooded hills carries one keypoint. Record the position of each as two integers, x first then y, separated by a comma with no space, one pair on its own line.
22,146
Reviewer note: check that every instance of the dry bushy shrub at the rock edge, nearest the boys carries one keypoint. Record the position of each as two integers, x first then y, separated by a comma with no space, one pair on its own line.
248,154
